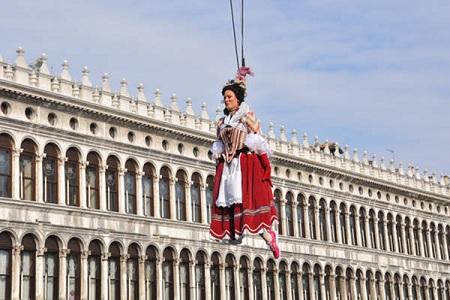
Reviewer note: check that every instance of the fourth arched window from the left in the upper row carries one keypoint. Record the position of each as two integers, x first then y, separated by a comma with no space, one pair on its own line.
72,166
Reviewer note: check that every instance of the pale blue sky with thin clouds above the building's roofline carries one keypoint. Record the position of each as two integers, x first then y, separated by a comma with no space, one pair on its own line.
371,74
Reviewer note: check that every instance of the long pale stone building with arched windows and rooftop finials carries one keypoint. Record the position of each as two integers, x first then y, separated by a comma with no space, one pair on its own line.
107,196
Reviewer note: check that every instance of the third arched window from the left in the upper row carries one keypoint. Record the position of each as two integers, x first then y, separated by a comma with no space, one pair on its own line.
50,173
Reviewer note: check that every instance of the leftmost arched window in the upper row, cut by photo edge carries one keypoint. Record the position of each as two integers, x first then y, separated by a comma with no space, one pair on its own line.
6,146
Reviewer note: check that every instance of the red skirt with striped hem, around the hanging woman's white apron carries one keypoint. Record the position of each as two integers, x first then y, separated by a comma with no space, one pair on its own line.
257,210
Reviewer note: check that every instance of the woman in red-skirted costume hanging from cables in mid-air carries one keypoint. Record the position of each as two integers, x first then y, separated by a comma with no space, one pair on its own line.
242,194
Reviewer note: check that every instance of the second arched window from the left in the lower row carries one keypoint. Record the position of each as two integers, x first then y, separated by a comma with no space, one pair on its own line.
28,268
